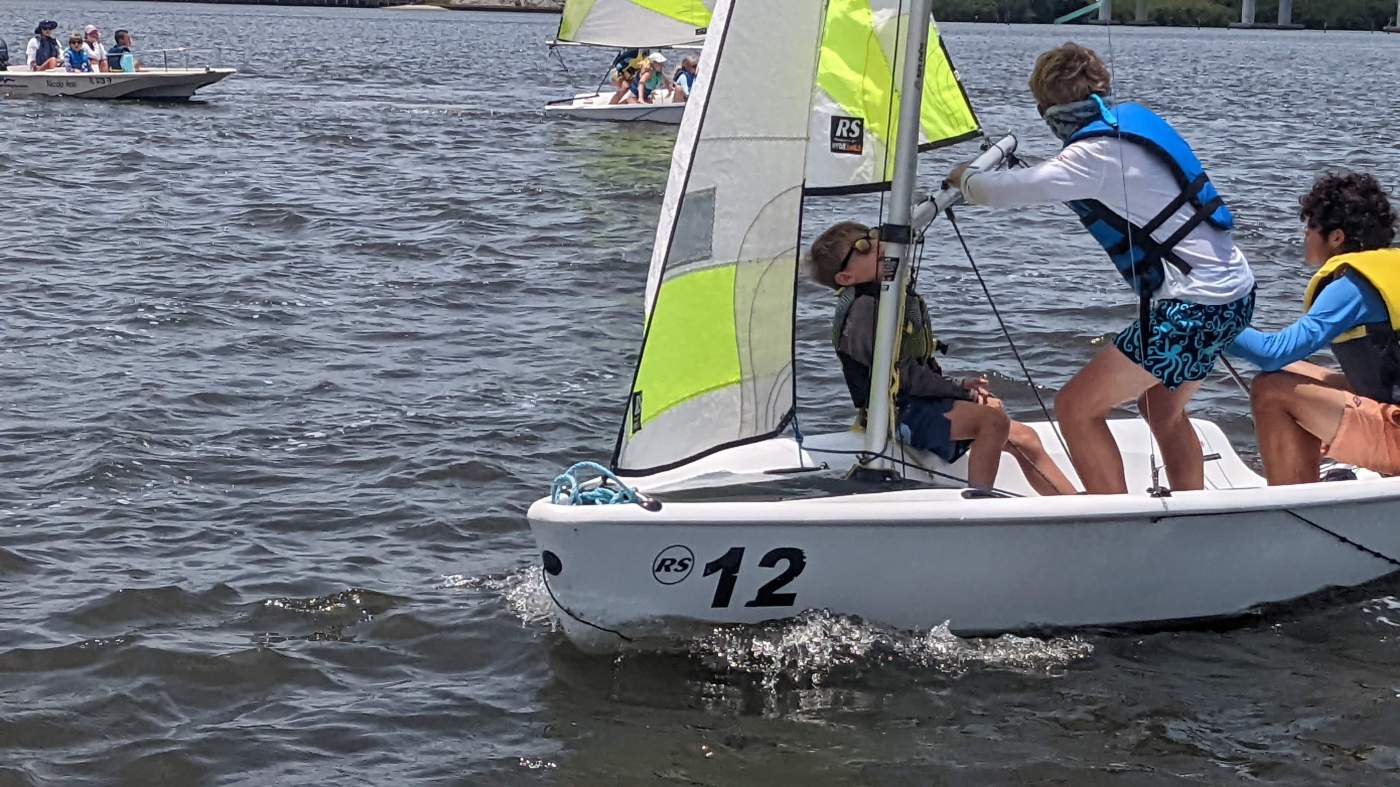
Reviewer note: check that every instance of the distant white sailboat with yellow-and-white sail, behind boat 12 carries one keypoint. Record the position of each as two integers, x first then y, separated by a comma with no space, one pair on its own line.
629,25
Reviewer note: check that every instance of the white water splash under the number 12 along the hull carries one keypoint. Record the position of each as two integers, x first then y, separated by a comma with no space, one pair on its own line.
818,646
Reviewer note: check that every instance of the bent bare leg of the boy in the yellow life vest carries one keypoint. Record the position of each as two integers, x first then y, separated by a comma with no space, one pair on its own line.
1294,417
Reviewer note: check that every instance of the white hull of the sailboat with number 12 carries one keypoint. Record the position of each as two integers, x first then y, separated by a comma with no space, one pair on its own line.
918,558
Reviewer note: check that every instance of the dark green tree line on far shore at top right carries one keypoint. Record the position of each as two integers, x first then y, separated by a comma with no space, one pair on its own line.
1349,15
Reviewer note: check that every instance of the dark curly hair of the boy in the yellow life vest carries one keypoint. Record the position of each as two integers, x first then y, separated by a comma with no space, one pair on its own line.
1354,204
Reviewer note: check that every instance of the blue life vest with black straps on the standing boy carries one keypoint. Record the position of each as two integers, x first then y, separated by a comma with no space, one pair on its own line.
1133,250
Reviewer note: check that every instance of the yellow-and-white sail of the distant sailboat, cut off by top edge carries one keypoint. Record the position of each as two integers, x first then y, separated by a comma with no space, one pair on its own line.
635,23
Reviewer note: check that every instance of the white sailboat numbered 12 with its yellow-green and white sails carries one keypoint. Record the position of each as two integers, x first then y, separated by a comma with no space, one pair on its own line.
737,519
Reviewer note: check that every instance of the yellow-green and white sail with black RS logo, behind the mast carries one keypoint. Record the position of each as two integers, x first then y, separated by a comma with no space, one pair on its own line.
856,99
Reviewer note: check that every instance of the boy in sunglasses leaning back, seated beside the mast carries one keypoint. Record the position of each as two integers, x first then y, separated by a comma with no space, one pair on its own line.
936,414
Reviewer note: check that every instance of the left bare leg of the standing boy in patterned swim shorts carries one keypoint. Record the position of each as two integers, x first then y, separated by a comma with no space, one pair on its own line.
1083,408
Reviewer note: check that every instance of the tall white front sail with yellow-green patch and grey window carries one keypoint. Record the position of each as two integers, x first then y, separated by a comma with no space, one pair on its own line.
716,365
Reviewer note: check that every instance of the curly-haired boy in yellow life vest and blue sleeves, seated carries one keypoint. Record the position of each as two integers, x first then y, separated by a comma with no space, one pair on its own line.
1305,411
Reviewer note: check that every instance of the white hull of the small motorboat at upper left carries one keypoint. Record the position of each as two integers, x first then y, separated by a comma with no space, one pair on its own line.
176,85
